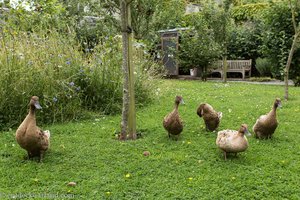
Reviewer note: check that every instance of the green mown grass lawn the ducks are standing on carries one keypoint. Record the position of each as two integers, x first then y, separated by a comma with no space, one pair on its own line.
189,168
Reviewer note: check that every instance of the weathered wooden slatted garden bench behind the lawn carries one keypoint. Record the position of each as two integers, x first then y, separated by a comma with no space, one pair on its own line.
241,66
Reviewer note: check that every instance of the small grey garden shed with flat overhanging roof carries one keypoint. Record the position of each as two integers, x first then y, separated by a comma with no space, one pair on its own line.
169,46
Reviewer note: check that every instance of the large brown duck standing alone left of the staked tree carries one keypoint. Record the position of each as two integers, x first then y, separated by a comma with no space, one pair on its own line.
29,136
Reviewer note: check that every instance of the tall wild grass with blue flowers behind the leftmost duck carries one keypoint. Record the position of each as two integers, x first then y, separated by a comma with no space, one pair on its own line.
67,81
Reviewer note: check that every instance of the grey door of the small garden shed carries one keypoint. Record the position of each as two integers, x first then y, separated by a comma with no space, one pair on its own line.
169,47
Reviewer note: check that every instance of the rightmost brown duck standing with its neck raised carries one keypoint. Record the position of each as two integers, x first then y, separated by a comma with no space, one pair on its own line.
266,125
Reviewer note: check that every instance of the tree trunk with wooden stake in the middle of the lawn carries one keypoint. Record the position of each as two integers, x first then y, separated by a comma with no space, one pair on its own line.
128,124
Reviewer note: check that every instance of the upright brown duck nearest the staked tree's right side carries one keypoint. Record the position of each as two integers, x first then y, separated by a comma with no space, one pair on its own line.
172,121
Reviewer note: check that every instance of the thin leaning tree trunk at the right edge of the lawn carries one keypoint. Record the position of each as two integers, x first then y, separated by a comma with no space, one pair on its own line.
287,67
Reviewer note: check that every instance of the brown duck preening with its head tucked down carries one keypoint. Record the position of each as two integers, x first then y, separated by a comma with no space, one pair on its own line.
211,117
